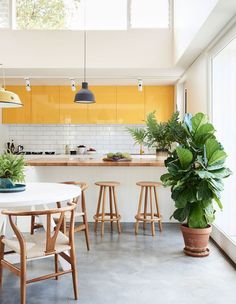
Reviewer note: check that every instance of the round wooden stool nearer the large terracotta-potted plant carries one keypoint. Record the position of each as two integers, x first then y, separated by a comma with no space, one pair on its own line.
152,216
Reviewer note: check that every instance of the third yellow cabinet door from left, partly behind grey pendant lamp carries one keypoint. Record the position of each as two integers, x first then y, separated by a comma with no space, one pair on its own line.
71,112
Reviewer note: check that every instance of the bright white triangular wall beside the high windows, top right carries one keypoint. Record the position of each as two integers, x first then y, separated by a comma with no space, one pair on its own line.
189,17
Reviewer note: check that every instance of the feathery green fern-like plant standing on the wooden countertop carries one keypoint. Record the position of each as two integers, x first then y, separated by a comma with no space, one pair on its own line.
159,135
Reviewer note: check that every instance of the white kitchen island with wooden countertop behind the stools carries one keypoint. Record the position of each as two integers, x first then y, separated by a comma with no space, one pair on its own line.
91,169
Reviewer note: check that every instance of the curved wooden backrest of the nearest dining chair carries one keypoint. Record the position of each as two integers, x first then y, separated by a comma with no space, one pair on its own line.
51,234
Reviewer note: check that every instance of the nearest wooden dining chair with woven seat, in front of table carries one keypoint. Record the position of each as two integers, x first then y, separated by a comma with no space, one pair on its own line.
40,245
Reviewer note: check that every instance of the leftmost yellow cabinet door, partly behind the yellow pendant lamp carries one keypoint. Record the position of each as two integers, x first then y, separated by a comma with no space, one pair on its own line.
20,115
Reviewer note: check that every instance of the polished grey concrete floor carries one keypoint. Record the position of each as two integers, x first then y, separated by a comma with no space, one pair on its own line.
132,269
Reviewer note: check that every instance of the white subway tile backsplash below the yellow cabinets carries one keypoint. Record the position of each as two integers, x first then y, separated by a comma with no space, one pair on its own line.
103,138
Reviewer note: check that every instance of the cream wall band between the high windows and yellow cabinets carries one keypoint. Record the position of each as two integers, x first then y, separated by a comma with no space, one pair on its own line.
105,49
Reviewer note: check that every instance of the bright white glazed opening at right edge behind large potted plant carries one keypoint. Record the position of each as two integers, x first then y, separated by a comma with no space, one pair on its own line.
224,119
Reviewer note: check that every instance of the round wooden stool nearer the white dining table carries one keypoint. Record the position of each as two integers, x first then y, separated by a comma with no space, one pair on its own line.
104,216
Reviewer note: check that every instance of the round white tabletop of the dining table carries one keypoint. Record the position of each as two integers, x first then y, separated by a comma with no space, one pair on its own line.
39,194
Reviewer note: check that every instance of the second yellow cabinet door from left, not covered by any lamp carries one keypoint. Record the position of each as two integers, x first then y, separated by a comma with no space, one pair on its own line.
45,104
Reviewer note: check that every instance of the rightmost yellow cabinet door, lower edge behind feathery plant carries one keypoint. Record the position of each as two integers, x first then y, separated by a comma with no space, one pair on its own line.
161,100
